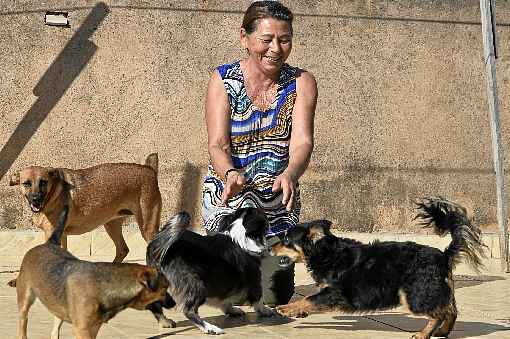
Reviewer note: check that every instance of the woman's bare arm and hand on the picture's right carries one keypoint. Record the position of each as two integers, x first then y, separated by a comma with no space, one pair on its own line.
301,138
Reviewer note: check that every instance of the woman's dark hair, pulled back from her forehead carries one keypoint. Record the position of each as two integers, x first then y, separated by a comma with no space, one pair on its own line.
263,10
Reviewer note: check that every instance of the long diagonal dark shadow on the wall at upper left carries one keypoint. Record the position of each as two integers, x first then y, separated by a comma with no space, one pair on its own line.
53,84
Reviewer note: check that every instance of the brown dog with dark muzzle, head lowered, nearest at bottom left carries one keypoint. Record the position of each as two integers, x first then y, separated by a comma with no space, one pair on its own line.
83,293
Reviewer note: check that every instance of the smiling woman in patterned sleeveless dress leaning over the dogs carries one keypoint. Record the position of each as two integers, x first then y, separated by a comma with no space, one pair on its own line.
259,116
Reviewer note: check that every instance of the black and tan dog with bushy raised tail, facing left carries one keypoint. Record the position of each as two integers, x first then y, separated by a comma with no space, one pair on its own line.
355,277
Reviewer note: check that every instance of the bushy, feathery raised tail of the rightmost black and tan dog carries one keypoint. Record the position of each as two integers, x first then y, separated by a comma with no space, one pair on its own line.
446,216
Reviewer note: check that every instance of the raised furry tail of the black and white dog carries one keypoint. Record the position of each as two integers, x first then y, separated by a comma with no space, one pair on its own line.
159,246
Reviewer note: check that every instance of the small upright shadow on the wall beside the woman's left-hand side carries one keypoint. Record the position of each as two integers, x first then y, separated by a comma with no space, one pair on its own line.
189,192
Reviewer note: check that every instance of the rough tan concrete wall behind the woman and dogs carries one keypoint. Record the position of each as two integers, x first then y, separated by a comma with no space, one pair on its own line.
402,110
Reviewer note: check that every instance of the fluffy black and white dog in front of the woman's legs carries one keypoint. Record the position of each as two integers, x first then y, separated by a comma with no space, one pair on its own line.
211,269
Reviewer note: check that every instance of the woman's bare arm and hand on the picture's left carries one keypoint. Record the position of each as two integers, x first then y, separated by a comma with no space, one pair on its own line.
217,117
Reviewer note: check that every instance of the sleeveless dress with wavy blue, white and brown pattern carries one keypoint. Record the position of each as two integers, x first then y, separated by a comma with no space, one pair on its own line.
259,142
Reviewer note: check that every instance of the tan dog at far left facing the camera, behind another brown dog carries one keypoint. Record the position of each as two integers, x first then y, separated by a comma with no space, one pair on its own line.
100,195
